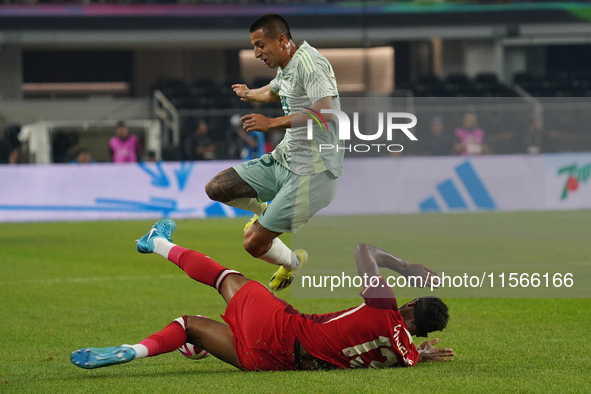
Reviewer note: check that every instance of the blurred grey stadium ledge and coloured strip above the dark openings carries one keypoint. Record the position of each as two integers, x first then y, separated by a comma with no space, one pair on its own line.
336,22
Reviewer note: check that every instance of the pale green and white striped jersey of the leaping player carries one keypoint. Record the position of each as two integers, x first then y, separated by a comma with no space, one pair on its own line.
307,78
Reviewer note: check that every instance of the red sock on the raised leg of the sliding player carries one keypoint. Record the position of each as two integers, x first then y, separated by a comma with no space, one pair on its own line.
200,267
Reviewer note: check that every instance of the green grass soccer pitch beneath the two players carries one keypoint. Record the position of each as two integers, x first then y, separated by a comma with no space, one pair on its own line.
68,285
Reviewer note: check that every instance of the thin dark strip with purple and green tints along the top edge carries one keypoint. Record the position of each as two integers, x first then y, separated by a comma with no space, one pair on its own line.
336,14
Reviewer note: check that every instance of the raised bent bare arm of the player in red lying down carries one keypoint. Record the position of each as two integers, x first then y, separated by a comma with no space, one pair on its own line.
370,258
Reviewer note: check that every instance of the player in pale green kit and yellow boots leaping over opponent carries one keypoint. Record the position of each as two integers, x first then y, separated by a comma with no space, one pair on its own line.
299,177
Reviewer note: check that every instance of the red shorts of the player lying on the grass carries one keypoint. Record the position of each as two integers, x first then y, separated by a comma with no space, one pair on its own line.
263,338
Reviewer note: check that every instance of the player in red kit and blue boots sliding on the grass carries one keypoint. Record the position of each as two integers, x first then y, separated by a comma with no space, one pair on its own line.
265,333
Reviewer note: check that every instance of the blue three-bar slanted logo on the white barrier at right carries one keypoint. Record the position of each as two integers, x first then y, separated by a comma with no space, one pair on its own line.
452,197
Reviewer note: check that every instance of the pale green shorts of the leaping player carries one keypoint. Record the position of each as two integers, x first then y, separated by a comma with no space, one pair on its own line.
296,198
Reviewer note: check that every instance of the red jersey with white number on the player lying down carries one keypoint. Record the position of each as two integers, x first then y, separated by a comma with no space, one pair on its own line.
373,335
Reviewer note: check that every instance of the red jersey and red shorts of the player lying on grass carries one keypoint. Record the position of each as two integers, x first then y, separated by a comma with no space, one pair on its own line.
265,327
